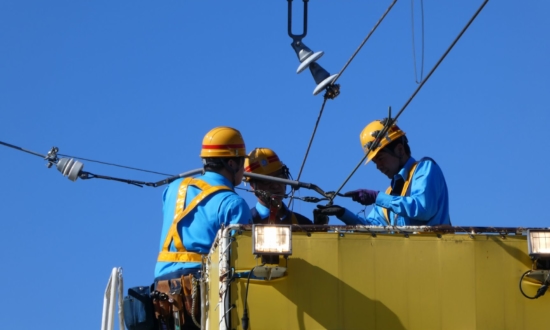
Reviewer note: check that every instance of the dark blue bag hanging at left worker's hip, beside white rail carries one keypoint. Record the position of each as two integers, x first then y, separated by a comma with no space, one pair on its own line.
138,309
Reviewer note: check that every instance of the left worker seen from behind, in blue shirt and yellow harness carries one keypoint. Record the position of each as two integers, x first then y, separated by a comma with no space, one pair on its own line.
196,208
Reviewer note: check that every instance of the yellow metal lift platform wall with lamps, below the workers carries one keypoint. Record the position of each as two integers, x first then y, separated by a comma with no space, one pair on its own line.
341,277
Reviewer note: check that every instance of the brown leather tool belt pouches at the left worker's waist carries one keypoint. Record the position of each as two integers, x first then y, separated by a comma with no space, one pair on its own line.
173,302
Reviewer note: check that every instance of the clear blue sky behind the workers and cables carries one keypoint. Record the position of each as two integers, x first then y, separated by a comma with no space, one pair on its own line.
139,83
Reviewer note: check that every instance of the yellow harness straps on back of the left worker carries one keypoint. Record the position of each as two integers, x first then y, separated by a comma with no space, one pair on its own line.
179,213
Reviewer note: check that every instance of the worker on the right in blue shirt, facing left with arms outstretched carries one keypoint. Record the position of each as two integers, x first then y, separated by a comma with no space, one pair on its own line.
417,195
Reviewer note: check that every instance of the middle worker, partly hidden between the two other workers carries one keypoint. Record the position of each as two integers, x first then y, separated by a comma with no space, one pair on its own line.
270,194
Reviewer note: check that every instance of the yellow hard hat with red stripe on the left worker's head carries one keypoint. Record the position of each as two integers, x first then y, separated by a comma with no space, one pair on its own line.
223,142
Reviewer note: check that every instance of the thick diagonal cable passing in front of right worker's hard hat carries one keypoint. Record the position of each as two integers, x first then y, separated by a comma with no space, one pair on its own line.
391,120
